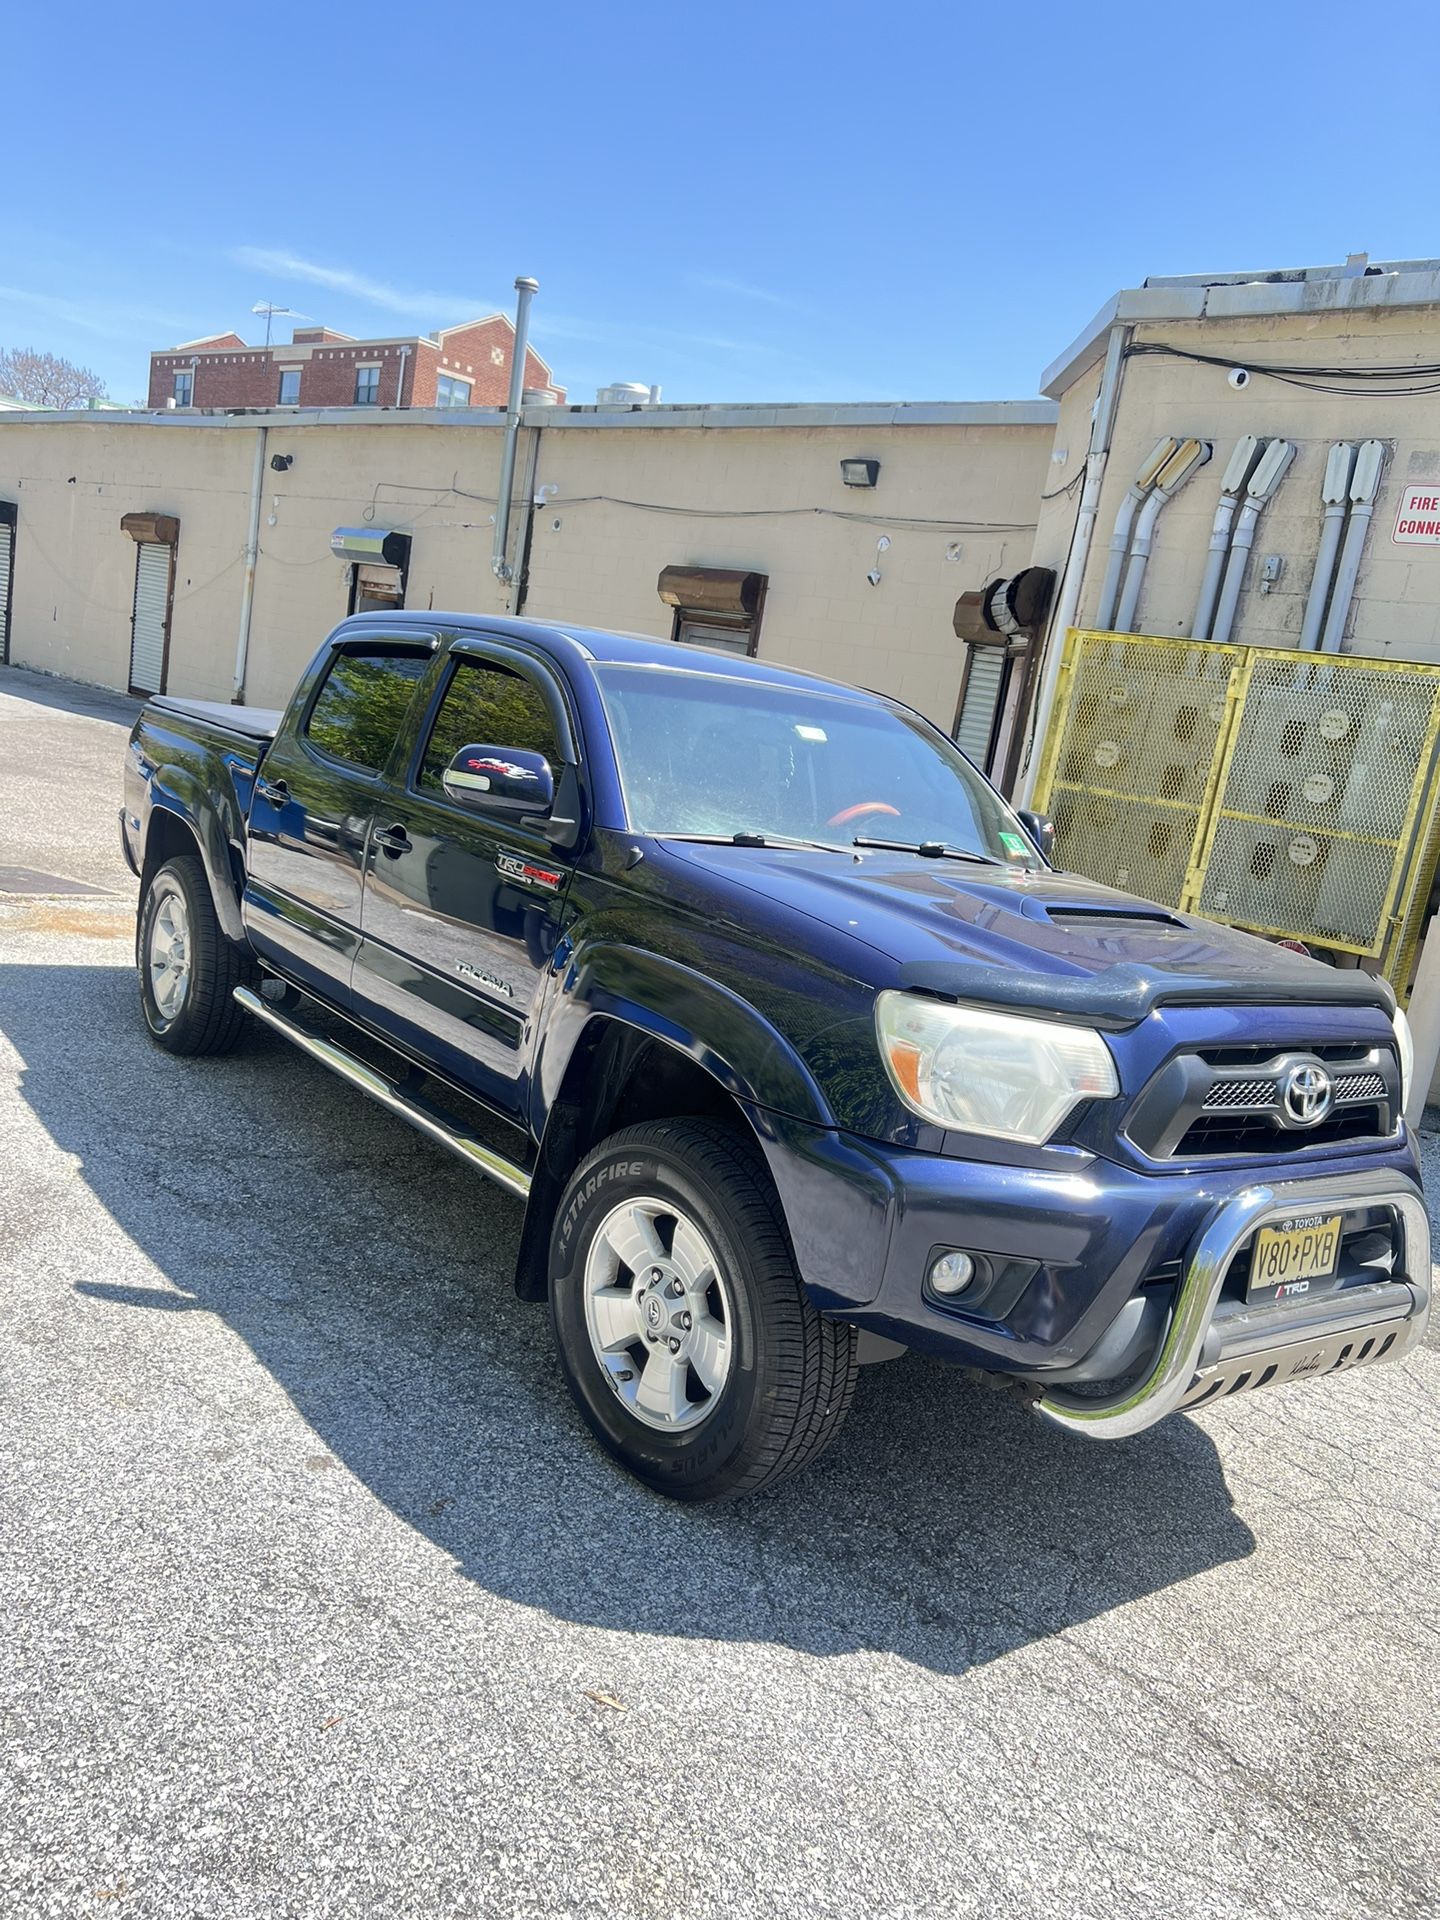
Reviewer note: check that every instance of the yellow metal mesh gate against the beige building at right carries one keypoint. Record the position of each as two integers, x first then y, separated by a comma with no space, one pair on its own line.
1284,792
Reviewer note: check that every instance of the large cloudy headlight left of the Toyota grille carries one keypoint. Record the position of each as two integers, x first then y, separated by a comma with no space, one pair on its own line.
986,1072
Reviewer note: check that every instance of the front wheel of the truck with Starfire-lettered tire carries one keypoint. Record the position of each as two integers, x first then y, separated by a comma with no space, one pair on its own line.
765,1381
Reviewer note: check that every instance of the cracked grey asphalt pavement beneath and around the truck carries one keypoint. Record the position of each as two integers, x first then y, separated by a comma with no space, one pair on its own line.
316,1600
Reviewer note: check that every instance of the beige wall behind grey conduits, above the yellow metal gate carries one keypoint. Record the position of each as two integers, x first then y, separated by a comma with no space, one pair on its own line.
1399,592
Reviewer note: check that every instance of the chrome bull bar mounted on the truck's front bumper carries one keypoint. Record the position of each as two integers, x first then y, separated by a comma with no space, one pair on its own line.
1186,1372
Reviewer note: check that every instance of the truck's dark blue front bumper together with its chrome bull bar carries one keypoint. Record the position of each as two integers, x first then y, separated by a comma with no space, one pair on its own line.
1090,1247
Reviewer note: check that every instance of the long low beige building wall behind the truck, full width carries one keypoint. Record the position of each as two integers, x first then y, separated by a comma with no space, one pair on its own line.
76,569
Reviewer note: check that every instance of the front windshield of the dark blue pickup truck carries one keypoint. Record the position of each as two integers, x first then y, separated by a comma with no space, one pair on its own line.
717,756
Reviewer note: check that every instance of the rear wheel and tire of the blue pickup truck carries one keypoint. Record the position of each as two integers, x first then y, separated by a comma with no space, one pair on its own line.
189,971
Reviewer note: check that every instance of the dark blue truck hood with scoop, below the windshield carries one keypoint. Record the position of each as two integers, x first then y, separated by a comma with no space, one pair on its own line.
1015,938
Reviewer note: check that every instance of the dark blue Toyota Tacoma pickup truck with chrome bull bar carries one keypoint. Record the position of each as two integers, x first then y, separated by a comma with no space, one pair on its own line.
786,1032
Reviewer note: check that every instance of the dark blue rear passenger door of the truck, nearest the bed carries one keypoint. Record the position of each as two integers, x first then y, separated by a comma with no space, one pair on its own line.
312,809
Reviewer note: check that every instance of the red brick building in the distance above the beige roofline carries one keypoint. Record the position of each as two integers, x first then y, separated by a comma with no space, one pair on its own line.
458,368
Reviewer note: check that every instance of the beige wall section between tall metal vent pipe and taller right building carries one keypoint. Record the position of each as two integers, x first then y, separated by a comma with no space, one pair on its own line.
602,564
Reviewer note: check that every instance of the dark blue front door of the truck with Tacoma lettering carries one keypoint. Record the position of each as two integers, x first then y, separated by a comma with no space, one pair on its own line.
464,907
